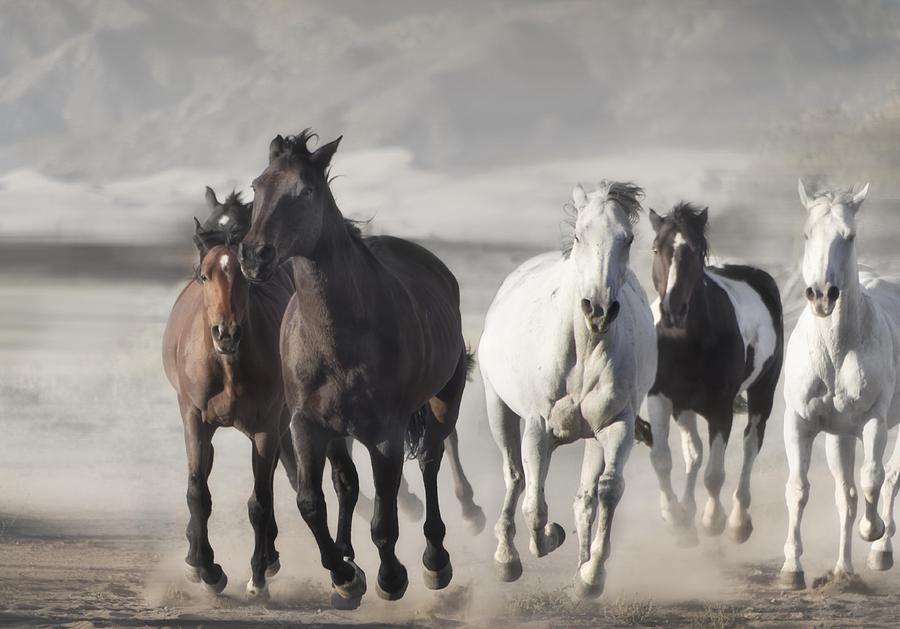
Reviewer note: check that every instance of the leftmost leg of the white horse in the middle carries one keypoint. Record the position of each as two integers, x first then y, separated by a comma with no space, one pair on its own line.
507,434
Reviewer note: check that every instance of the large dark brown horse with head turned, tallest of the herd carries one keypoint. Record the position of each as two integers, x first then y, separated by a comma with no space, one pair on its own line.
371,347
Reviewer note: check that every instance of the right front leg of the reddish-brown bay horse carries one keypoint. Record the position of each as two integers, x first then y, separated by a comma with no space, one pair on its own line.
260,508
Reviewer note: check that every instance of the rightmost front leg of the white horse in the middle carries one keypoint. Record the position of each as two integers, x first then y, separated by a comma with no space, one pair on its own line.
617,441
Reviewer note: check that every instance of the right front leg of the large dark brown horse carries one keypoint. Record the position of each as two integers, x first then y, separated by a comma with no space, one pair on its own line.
387,467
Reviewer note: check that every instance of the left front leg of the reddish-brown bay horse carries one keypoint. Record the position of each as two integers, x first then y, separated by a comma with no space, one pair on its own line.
198,445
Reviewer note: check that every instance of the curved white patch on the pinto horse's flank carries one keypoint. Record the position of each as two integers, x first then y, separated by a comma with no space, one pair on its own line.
754,321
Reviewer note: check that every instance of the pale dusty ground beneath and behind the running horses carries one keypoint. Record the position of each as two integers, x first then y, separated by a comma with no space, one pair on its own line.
92,487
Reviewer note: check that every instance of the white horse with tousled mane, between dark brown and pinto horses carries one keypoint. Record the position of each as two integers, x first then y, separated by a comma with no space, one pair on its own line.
569,346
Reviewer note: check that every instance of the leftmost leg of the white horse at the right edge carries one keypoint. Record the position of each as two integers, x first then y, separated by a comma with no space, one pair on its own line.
798,440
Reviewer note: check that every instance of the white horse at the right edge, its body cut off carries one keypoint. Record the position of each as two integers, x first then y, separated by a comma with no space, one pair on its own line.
841,377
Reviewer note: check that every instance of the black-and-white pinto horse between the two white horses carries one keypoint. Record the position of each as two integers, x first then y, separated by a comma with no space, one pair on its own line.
720,333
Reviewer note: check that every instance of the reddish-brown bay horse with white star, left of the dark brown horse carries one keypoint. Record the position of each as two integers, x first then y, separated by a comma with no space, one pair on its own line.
220,353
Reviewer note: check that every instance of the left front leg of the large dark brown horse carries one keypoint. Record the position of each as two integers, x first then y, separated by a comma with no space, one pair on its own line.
347,579
